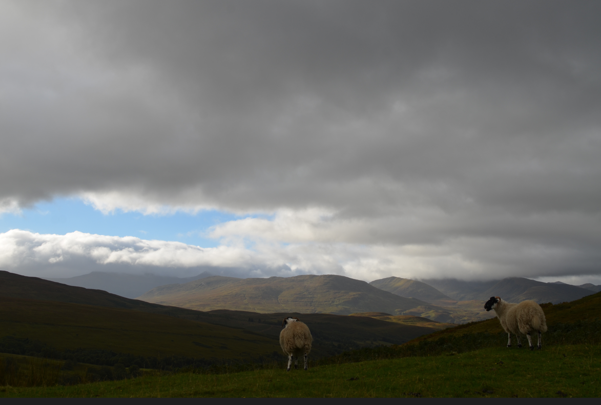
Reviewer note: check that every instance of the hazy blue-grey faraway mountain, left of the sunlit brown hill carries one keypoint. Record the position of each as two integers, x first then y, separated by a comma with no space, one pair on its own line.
125,285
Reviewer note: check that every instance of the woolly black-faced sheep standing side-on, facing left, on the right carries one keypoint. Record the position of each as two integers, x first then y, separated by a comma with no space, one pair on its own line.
525,317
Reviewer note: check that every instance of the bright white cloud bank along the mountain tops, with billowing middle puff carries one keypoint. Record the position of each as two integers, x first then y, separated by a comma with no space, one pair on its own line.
293,243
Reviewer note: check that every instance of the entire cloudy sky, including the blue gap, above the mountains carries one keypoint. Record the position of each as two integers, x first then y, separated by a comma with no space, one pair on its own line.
416,138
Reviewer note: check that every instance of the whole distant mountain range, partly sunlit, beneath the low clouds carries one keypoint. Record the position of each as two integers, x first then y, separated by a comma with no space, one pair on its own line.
449,300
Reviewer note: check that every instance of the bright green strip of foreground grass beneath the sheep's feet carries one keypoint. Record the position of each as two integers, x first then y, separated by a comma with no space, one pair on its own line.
559,371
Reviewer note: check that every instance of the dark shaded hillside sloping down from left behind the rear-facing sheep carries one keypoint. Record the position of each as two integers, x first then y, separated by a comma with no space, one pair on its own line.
73,317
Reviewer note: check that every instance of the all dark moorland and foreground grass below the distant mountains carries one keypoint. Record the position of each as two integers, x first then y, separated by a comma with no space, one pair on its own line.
64,341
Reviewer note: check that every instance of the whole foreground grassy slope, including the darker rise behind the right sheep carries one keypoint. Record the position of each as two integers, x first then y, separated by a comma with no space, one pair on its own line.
464,361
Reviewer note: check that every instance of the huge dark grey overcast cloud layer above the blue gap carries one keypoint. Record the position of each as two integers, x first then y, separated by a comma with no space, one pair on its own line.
485,111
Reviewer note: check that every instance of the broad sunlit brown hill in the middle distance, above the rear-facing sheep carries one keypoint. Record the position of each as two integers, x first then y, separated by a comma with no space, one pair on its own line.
305,294
